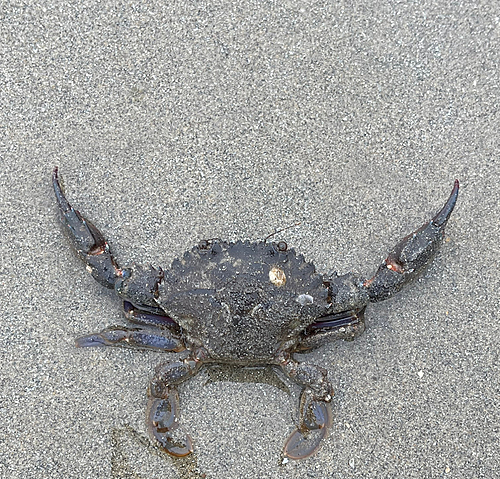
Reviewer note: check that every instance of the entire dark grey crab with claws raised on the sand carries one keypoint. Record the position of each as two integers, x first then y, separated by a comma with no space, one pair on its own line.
241,303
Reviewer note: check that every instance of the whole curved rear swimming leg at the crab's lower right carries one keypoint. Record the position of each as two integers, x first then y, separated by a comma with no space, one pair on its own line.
315,415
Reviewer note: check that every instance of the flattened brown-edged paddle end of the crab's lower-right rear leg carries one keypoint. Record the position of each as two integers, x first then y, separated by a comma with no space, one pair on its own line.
316,419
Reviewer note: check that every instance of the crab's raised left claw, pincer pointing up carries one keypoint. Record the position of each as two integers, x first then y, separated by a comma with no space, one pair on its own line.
87,240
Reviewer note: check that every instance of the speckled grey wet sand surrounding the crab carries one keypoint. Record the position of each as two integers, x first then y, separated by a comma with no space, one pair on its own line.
221,120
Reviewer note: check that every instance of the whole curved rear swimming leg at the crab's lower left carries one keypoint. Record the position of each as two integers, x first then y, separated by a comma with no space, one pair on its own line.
163,412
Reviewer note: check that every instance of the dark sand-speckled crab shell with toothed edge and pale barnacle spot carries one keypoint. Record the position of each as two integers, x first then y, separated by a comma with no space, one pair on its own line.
242,301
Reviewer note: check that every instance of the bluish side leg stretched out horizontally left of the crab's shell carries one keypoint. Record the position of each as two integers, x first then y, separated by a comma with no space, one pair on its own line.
135,338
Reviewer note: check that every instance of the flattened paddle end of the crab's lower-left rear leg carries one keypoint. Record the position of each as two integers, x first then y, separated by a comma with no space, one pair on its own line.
164,427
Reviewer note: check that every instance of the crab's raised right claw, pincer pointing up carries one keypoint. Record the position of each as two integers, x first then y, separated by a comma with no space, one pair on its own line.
411,255
